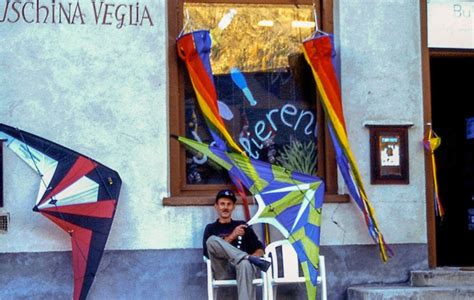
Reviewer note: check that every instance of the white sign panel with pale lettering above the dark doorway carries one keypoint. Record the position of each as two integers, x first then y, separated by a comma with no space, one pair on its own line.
450,24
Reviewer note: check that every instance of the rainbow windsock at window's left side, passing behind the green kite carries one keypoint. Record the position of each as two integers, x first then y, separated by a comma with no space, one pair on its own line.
194,49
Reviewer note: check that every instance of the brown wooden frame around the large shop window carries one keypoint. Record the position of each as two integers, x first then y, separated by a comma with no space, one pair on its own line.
183,194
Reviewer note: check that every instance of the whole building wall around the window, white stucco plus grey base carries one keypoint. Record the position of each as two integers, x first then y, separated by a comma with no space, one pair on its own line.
95,77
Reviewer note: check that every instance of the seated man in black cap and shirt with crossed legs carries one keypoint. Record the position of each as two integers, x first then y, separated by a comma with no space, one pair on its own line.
233,248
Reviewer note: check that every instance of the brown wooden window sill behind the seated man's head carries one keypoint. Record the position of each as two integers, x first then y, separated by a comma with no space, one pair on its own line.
209,200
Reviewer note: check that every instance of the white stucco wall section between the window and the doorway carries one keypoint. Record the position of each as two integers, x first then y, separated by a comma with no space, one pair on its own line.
379,44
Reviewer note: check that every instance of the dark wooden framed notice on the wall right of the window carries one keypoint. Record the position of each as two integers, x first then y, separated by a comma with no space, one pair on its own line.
389,161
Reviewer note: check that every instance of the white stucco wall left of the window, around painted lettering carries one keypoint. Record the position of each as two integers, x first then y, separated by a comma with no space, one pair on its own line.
101,91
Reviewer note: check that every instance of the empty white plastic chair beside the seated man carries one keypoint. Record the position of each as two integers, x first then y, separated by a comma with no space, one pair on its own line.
285,268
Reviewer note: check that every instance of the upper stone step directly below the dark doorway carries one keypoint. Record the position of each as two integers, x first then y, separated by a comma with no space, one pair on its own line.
443,277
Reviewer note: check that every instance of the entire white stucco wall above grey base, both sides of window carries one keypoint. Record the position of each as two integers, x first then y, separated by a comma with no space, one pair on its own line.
102,91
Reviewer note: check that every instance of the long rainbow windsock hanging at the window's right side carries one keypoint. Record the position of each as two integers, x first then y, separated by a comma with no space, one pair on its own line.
319,53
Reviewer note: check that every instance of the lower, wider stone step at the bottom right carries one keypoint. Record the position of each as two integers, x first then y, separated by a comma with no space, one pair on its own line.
410,293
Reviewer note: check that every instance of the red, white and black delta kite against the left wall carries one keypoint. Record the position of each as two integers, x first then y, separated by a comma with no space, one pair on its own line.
77,193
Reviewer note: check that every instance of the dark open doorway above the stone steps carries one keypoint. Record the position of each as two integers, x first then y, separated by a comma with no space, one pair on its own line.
452,96
